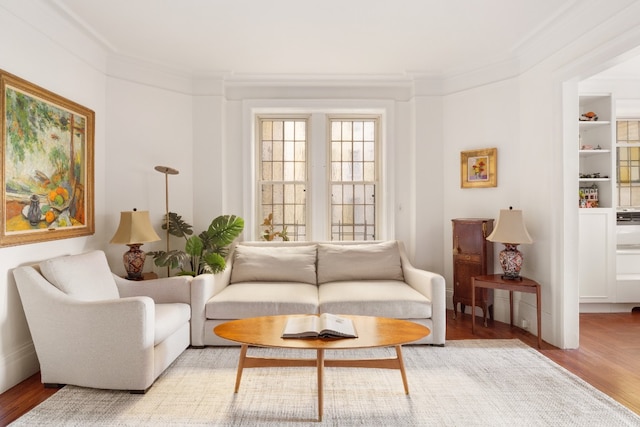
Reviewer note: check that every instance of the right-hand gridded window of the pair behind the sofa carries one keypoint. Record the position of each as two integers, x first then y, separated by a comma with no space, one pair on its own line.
353,179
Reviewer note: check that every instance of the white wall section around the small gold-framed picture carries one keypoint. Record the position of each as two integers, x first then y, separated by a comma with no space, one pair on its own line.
483,117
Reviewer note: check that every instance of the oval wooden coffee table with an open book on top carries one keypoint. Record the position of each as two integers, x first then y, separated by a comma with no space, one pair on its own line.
372,332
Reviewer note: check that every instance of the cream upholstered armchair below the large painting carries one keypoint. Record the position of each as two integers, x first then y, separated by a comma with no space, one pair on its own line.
94,329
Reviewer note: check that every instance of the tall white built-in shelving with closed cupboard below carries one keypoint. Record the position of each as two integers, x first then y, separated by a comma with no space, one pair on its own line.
597,199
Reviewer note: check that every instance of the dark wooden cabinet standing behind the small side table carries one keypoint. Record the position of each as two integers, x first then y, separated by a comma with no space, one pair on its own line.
472,256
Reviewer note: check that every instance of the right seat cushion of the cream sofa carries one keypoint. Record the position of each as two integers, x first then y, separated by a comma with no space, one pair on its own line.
384,298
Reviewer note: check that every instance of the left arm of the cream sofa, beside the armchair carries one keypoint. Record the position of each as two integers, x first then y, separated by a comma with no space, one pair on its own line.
203,287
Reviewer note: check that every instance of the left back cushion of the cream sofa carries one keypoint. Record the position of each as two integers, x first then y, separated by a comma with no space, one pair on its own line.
274,264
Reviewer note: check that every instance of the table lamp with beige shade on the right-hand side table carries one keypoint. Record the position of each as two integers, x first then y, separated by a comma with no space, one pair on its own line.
510,231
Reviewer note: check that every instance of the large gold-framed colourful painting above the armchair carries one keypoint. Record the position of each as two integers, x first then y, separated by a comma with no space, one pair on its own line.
47,165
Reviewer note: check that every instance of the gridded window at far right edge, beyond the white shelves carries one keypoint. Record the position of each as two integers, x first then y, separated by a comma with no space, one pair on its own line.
628,162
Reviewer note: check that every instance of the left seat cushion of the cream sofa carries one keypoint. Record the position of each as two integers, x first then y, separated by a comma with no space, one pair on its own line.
250,299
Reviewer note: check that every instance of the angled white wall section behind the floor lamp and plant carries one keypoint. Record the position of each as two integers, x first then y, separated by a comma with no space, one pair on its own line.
147,126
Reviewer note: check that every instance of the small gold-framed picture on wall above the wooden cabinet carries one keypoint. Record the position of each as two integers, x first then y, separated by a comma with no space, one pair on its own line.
479,168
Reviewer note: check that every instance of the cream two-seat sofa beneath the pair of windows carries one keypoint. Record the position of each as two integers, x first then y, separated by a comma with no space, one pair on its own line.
359,278
